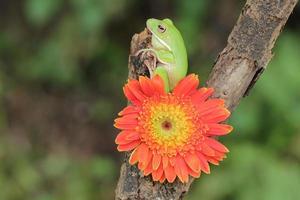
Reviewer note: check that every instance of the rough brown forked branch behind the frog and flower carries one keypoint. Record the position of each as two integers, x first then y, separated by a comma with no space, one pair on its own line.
236,70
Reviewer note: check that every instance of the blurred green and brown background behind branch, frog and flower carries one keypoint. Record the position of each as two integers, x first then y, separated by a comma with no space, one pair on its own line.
62,67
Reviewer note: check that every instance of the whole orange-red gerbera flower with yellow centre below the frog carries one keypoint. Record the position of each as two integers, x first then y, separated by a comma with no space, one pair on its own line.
172,134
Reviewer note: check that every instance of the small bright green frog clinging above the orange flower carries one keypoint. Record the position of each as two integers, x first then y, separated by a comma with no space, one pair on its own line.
169,50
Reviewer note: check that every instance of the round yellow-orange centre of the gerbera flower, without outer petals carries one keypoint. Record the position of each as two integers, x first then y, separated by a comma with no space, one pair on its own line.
169,125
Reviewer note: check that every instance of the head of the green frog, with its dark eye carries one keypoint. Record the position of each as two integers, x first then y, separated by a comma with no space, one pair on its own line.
163,33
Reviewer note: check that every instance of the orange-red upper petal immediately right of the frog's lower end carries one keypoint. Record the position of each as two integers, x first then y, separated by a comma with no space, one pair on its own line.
186,86
